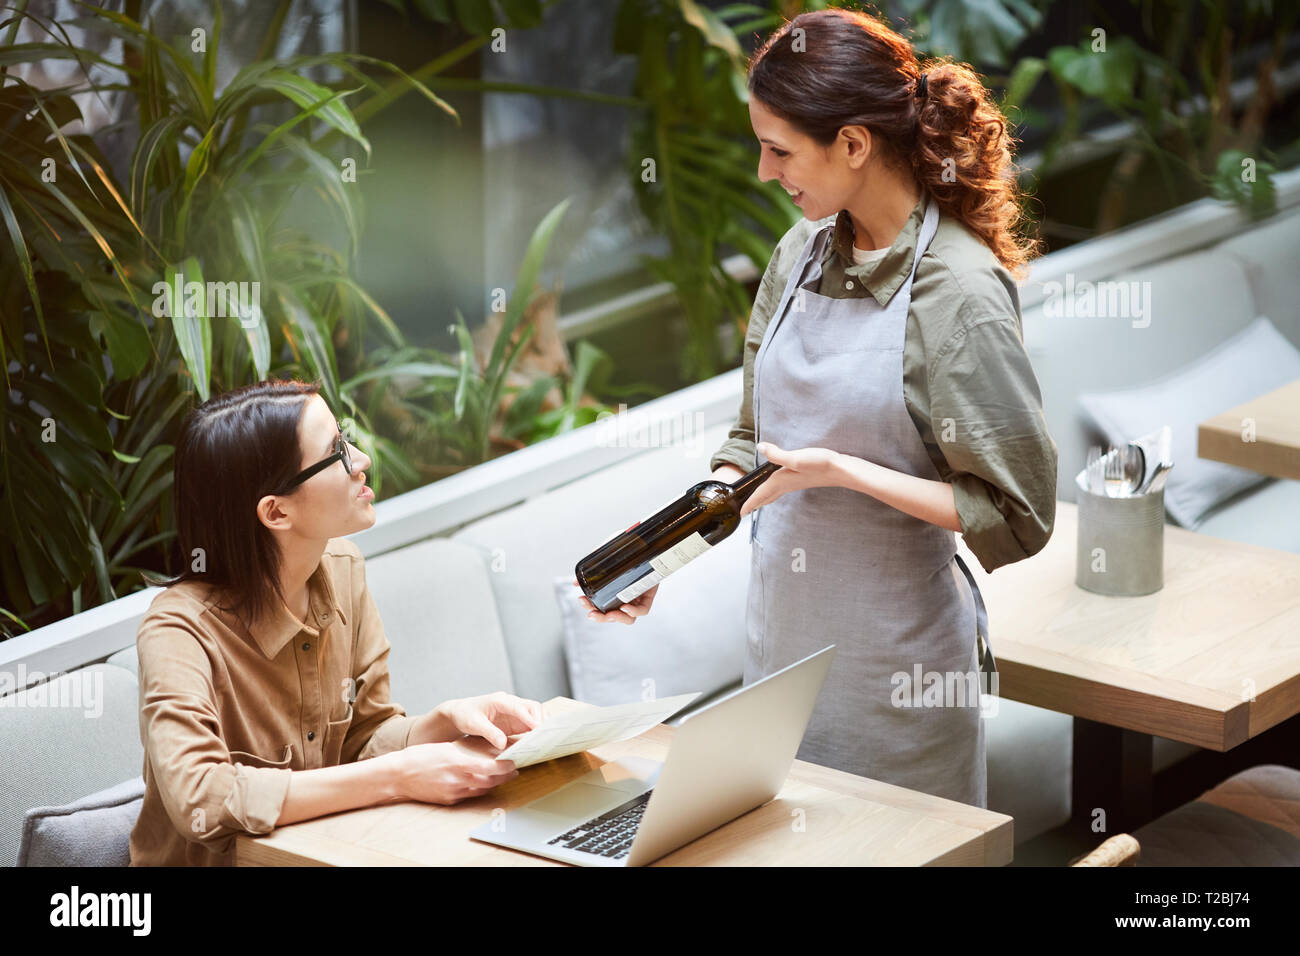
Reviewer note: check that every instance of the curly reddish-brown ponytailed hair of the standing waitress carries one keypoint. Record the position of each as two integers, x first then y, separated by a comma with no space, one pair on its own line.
848,68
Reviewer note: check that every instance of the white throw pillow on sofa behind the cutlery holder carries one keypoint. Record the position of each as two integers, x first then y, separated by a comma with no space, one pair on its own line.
1251,364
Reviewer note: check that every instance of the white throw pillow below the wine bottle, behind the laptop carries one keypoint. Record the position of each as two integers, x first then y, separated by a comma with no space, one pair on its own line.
694,639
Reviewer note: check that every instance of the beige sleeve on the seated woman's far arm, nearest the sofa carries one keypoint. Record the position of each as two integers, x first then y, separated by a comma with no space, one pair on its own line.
379,726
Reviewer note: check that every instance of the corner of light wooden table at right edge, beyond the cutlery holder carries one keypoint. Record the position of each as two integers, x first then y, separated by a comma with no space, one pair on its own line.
1276,449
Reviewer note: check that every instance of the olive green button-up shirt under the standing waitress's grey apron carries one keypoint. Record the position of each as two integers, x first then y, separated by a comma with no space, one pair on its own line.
967,378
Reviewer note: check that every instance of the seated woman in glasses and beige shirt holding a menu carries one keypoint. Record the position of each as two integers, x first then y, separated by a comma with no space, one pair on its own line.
265,682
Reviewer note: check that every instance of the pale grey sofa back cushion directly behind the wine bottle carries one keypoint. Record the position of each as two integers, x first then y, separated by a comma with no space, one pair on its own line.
530,546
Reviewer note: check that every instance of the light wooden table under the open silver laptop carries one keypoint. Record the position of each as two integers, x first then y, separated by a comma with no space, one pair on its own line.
821,817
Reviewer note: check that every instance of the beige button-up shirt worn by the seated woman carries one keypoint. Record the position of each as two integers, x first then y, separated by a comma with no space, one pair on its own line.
227,715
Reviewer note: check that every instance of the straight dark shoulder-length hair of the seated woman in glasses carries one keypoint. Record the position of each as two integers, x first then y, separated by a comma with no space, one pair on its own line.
233,451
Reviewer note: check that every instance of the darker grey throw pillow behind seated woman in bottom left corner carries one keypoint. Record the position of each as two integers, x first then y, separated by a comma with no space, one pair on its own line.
92,832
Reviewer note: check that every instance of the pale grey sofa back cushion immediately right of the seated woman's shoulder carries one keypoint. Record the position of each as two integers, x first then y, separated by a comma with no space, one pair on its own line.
441,621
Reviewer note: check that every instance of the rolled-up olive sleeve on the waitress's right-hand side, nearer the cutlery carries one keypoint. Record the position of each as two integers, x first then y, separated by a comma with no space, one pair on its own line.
987,417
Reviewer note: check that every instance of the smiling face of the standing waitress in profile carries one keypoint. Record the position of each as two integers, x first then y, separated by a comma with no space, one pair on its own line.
822,180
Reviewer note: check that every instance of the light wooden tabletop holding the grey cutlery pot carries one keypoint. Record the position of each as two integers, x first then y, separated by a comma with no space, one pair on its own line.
1182,664
